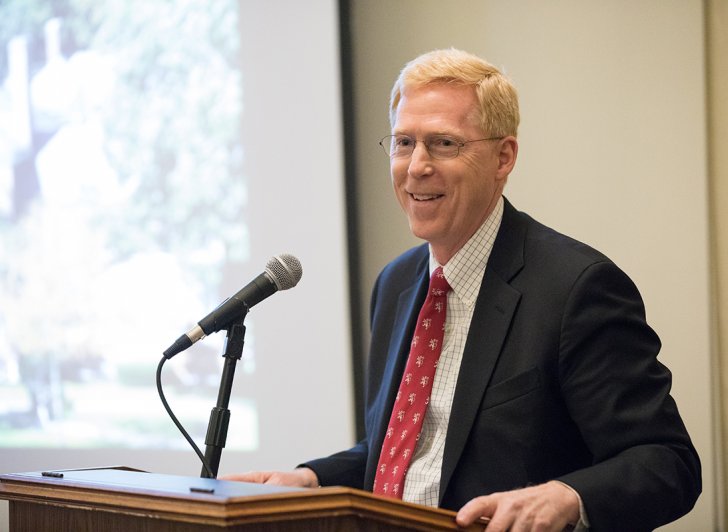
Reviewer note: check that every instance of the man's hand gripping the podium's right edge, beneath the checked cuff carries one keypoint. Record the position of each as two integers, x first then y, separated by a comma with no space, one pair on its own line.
547,507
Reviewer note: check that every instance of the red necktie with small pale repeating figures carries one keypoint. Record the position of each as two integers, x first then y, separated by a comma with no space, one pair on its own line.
405,423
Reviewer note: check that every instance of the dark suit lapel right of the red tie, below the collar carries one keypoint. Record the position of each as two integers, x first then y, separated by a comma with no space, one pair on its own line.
494,310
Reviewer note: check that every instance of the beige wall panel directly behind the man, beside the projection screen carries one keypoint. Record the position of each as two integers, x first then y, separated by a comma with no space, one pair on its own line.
613,144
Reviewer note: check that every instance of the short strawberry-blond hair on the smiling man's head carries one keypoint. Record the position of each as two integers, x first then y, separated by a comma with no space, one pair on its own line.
498,109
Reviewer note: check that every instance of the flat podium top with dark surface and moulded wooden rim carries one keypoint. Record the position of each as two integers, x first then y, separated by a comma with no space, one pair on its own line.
219,503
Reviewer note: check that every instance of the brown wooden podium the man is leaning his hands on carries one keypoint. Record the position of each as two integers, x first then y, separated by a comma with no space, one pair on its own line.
121,499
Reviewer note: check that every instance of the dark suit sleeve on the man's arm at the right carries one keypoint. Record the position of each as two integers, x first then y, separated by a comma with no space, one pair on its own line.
646,471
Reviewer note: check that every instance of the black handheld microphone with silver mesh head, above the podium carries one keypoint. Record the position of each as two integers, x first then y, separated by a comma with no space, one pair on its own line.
281,273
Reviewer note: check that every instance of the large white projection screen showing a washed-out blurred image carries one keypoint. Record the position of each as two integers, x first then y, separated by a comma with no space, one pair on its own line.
153,157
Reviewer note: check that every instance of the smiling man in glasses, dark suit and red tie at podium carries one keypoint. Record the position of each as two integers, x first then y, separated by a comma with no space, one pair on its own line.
547,407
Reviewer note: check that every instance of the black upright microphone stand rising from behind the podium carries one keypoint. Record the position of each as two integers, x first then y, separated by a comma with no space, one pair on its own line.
220,415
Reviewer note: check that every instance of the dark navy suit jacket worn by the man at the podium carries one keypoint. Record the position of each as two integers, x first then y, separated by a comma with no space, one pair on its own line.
559,380
